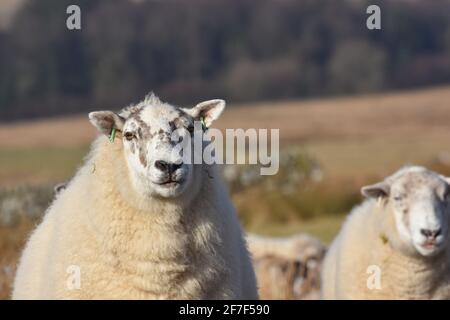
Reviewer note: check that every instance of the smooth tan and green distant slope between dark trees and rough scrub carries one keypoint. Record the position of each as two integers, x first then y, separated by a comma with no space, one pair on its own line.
356,136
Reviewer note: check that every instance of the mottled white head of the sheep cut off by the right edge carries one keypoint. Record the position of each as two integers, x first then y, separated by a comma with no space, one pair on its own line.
420,201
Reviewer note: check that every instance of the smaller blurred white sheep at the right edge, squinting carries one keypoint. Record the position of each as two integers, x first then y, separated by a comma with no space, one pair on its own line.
396,244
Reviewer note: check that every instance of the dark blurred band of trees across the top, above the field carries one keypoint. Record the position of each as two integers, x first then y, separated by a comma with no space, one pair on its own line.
241,50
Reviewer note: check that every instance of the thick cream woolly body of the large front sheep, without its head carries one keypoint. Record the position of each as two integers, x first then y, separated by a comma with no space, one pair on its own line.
128,247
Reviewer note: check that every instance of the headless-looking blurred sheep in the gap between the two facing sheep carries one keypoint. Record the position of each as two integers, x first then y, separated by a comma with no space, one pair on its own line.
287,268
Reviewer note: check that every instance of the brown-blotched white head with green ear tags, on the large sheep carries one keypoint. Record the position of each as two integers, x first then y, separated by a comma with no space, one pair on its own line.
151,132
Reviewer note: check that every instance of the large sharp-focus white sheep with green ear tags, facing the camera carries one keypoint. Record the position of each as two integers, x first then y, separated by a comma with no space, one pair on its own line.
137,223
